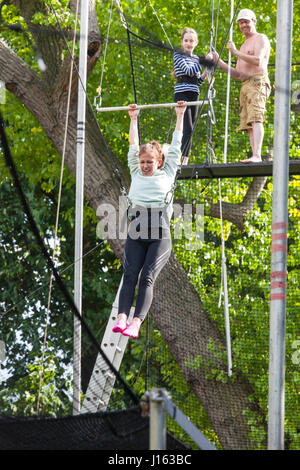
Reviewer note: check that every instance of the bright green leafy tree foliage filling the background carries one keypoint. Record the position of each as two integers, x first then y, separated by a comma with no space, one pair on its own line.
24,277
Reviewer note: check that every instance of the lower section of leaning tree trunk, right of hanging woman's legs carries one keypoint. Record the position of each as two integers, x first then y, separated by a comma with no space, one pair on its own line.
199,349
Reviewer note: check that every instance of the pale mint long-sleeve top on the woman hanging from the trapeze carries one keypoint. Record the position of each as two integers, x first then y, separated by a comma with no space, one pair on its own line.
151,191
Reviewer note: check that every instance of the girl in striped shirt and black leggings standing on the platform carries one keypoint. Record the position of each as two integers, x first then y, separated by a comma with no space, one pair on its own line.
187,70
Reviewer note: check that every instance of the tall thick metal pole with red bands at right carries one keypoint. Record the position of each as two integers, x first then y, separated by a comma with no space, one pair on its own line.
279,225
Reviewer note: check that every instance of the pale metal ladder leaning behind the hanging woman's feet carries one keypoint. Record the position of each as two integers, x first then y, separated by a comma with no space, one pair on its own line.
102,379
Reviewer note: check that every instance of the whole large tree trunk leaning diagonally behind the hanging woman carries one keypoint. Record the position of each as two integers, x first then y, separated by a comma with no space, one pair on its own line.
177,308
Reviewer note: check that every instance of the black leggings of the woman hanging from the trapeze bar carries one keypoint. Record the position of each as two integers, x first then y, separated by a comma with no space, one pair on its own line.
147,256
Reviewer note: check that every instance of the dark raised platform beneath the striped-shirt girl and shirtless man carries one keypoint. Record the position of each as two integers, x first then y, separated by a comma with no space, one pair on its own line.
233,170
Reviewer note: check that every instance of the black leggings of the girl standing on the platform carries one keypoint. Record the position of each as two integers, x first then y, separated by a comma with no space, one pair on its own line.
188,120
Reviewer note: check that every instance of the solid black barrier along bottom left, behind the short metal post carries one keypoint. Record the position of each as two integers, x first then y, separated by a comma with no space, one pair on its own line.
116,430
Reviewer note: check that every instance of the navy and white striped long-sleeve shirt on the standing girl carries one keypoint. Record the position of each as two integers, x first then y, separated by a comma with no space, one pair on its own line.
188,66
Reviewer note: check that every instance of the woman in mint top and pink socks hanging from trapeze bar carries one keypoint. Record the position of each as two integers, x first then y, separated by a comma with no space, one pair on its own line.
148,245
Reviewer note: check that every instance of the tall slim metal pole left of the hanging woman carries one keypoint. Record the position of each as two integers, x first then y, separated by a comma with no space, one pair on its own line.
80,151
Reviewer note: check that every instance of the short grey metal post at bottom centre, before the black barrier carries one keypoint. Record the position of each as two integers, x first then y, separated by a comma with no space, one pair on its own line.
157,420
